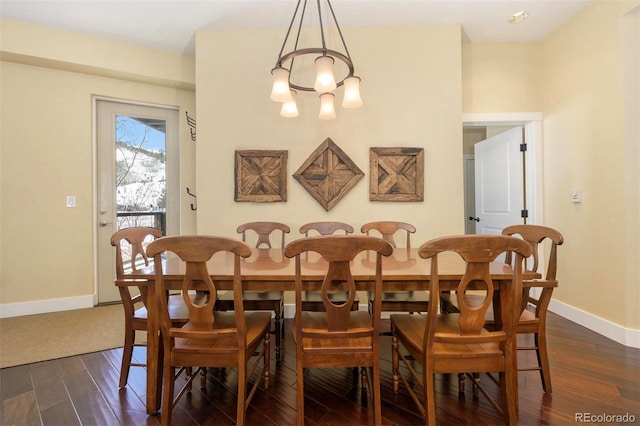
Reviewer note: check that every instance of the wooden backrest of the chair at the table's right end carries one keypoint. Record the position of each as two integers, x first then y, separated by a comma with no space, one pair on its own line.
534,235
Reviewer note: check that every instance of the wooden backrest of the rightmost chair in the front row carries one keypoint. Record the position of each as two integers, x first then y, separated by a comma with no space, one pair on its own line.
477,251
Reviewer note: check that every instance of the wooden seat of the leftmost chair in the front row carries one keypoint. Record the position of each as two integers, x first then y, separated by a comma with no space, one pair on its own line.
258,324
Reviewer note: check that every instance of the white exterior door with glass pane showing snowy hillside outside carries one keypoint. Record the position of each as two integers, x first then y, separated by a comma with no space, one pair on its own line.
137,178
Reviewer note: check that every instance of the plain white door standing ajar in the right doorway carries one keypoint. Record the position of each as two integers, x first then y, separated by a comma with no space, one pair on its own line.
499,182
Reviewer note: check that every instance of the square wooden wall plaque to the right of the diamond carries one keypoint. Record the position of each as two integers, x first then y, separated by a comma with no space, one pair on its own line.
396,174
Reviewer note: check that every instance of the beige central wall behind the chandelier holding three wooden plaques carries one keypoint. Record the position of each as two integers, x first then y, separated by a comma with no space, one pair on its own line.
411,89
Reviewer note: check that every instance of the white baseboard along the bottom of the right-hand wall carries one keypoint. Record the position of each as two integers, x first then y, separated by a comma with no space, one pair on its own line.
625,336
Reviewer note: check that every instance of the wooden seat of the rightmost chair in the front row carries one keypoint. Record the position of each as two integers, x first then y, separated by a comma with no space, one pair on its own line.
411,328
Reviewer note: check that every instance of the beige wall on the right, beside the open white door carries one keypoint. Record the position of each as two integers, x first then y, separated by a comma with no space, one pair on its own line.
584,140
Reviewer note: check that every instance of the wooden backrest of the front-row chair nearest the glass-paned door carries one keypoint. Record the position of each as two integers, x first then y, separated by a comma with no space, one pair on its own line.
195,251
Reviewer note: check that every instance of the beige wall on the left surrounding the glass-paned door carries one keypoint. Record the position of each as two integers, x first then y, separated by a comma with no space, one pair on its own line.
47,250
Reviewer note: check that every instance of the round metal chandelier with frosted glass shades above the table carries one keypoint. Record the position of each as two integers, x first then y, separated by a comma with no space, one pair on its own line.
285,88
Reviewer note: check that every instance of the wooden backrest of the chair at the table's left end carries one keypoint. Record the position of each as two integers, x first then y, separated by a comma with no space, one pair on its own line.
129,255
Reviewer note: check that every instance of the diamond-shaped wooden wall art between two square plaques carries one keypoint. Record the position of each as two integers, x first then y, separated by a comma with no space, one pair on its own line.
328,174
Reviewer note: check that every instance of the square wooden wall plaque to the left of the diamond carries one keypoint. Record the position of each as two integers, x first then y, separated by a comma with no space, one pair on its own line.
261,176
